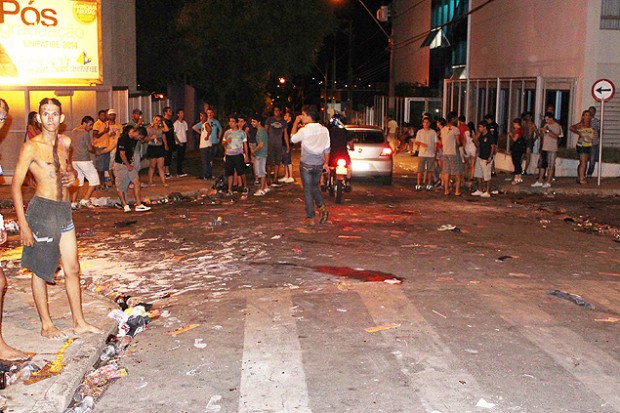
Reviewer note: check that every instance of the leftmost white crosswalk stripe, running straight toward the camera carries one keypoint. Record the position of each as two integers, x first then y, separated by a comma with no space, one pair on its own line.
272,377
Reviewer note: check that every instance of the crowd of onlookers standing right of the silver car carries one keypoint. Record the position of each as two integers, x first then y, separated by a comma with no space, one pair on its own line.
455,153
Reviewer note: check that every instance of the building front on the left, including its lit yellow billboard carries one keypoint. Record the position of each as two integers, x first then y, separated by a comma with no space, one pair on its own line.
82,52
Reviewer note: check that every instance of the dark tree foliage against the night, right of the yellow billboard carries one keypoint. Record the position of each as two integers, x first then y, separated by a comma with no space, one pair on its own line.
231,49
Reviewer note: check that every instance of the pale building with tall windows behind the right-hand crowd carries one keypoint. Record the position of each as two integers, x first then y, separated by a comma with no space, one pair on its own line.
526,55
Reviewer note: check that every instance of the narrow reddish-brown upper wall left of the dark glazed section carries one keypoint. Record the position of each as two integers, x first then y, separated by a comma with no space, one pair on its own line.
411,63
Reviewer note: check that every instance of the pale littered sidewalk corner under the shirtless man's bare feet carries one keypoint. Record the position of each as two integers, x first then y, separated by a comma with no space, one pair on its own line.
46,382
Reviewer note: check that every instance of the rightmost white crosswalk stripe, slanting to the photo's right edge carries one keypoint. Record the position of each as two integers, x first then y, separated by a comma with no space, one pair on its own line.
593,367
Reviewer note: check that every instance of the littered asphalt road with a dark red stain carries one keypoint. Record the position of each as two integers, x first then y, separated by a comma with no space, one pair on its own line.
283,310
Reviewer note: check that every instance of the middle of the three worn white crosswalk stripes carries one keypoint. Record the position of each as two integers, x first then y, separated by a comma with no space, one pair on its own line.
434,379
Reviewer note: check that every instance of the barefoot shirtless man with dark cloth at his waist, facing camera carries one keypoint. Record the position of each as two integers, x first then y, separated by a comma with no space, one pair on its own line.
47,230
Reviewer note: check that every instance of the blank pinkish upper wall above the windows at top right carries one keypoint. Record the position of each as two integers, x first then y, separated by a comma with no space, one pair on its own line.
528,38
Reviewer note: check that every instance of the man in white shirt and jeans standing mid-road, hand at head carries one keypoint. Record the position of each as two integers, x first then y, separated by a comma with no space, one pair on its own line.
315,147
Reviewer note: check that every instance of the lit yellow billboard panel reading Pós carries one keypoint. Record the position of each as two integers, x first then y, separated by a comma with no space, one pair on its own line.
50,42
